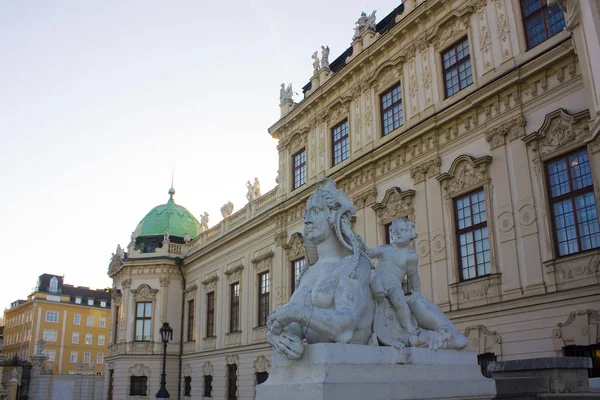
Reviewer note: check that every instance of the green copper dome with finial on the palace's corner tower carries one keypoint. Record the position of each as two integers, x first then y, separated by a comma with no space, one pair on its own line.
168,217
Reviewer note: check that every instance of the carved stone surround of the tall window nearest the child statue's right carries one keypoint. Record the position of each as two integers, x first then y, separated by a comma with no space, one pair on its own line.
465,175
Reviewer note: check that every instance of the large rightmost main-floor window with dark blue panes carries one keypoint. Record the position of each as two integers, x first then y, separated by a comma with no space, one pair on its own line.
573,204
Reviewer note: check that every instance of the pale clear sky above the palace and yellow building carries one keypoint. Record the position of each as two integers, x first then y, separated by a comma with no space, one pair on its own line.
100,99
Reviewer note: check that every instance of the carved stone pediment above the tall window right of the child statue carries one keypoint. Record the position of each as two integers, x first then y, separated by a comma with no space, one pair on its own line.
465,173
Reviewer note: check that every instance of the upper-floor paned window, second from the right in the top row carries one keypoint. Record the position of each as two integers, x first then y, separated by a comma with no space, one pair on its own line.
457,67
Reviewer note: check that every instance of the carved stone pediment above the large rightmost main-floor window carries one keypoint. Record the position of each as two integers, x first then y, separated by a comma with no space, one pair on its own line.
559,130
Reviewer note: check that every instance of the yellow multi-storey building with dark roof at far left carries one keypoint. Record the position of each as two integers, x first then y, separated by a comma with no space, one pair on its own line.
72,321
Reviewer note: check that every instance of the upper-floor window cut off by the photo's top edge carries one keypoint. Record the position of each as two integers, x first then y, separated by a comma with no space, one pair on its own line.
541,22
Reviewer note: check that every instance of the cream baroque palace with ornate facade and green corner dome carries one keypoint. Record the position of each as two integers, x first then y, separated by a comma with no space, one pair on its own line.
476,119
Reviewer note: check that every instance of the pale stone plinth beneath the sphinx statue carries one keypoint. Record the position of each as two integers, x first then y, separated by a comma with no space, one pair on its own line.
332,371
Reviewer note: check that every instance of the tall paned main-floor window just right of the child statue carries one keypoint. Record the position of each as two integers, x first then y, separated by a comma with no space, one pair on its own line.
474,247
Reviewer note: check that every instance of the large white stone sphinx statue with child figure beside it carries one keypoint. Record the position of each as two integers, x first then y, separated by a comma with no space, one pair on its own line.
337,299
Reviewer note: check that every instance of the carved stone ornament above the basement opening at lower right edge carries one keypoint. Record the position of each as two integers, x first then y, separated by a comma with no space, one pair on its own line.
582,328
